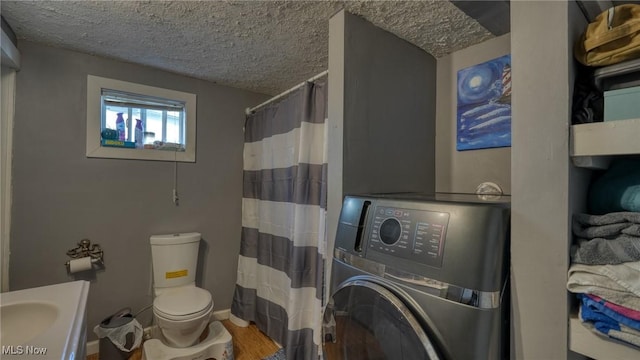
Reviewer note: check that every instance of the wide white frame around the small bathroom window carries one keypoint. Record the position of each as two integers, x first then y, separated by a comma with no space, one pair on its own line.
95,84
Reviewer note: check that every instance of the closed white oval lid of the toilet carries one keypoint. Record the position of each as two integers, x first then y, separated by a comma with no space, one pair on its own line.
183,302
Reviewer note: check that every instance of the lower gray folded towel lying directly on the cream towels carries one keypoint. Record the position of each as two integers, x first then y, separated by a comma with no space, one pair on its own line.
601,251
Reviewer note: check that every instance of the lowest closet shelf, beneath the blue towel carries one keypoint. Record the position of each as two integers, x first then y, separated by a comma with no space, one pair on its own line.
585,342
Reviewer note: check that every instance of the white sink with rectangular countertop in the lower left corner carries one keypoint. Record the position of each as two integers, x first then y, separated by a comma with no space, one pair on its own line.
48,320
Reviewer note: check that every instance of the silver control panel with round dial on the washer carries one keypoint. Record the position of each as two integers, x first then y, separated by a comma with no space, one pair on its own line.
415,235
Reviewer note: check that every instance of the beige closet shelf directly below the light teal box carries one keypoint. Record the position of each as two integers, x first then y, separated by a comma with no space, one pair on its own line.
592,144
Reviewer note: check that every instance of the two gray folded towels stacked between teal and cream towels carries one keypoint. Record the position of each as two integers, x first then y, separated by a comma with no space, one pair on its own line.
612,238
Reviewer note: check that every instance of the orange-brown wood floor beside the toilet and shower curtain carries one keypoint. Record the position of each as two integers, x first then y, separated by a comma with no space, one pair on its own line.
248,344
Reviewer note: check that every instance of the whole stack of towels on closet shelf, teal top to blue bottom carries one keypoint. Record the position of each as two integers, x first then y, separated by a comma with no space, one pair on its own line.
605,270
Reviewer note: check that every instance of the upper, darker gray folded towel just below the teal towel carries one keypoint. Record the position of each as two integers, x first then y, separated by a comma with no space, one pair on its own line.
606,226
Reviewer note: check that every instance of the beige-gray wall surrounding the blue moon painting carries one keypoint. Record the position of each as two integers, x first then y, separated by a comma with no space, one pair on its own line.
463,171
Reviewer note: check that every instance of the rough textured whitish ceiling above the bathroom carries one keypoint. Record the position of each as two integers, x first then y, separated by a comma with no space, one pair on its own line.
264,46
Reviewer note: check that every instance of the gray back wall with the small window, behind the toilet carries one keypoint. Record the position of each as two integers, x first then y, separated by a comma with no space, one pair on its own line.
60,196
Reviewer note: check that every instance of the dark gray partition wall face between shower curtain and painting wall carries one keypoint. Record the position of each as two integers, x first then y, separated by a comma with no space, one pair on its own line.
389,112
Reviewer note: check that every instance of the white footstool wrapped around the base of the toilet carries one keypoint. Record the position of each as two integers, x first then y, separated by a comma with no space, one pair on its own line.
217,345
